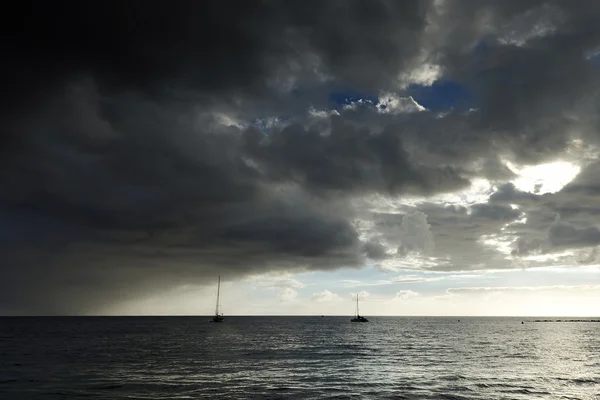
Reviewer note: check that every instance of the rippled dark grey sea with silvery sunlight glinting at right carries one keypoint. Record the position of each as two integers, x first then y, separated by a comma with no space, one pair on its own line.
298,358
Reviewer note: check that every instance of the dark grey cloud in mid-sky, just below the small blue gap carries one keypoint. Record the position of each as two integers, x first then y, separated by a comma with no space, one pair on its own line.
348,160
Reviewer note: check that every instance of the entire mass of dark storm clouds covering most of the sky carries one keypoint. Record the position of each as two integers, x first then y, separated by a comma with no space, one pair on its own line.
120,177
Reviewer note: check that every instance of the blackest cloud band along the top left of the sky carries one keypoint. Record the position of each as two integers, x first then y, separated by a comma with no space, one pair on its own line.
226,47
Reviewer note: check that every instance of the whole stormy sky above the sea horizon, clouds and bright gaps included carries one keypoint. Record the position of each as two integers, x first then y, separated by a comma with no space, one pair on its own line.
436,157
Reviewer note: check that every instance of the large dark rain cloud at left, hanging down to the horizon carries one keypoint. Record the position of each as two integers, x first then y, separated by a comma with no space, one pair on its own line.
112,197
